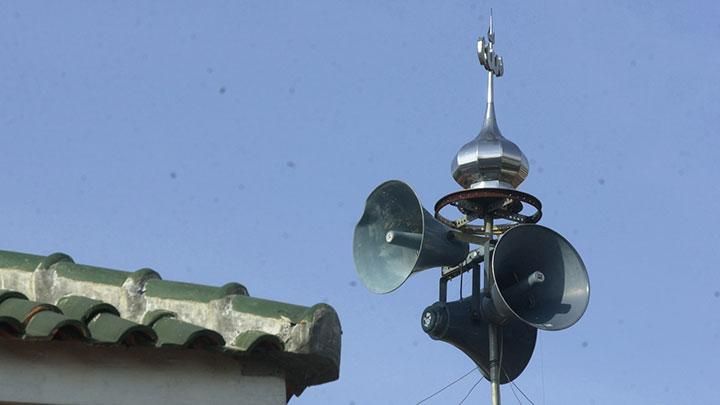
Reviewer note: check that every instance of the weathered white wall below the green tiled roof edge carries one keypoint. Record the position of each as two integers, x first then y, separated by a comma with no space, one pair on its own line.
77,373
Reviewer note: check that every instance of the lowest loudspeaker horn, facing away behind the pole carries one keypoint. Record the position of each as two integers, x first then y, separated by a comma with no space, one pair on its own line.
453,322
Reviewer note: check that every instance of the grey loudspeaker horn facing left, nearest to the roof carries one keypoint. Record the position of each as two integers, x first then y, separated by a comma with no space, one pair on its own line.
397,237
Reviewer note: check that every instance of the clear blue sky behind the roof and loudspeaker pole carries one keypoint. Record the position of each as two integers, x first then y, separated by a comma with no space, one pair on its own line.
237,141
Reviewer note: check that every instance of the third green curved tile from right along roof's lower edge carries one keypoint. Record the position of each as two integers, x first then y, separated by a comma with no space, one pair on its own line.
110,328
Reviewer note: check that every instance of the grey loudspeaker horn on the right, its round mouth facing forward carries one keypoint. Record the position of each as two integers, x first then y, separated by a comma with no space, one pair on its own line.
540,278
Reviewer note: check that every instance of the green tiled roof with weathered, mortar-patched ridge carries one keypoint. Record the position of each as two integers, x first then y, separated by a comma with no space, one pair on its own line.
53,298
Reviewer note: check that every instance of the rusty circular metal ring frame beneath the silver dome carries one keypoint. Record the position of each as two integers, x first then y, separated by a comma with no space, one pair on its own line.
495,202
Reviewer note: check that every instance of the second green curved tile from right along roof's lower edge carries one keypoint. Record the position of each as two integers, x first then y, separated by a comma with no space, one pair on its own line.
173,332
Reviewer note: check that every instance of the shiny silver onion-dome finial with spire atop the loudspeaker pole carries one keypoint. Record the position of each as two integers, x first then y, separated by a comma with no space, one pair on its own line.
490,160
